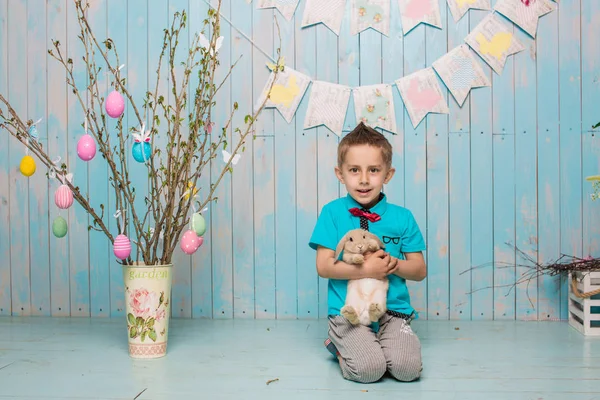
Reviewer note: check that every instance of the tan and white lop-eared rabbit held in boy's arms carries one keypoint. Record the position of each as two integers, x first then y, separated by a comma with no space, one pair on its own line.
366,297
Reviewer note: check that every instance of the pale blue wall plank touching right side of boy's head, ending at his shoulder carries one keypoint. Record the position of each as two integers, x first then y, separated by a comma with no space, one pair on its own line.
392,51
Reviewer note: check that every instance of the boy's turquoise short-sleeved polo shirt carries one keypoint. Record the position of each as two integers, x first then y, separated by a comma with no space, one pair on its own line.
397,229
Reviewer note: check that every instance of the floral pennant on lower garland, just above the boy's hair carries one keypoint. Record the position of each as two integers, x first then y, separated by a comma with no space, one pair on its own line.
374,105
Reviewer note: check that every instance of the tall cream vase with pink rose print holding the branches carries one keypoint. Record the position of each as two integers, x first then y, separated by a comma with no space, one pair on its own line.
147,306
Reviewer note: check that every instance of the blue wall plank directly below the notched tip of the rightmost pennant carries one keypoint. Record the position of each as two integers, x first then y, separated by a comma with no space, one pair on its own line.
526,221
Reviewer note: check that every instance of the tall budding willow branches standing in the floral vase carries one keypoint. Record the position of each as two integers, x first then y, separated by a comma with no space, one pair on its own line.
185,158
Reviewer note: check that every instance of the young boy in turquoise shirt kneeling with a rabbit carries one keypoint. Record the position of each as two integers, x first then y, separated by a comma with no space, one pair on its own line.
364,166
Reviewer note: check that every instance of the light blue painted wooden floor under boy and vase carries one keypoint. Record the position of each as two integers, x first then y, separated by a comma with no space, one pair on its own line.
45,358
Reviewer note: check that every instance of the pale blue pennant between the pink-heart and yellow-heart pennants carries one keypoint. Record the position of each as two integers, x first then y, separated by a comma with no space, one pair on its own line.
460,72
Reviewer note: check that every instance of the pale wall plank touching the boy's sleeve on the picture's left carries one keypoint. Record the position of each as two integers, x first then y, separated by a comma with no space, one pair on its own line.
307,207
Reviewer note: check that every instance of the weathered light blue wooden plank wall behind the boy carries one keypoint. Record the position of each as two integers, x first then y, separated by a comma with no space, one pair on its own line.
507,166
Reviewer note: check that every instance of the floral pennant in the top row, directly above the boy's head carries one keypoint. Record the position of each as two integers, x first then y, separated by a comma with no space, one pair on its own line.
366,14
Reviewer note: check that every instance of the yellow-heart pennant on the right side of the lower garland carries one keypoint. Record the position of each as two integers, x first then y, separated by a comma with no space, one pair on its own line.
494,41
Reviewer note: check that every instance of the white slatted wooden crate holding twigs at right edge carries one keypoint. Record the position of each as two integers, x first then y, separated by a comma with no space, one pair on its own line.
584,314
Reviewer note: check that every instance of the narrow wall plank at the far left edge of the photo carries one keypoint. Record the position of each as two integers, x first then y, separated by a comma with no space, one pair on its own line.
5,167
